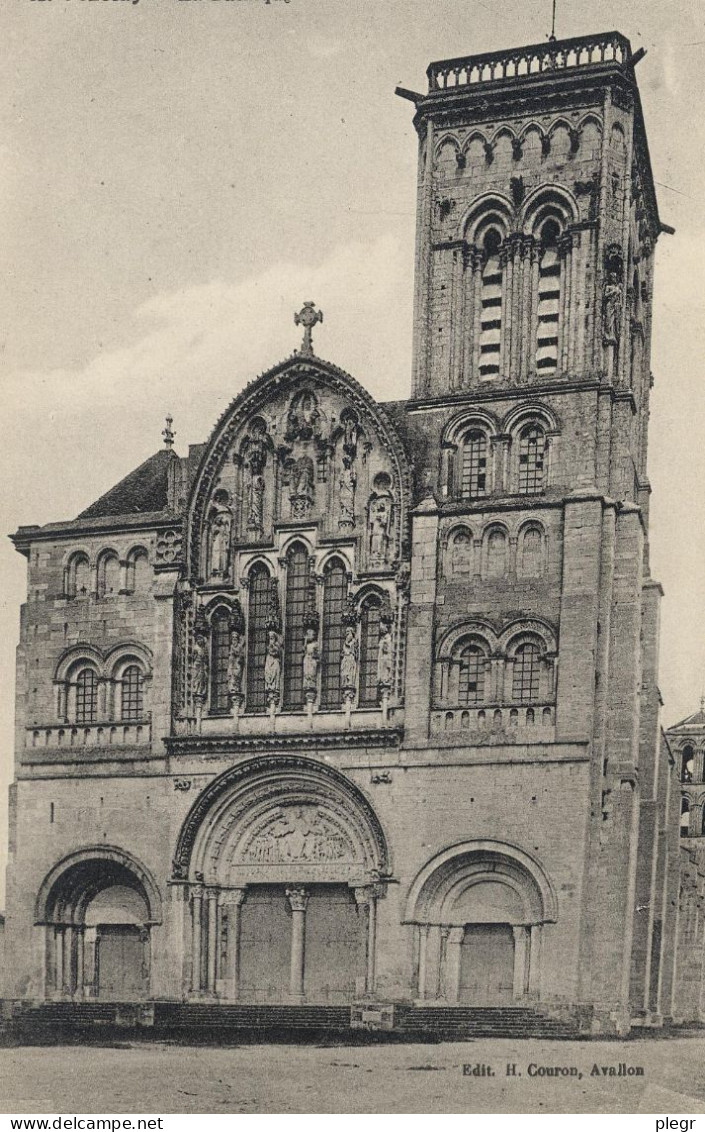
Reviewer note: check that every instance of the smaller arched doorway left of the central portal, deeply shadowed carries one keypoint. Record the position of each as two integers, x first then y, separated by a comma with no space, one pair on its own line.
99,907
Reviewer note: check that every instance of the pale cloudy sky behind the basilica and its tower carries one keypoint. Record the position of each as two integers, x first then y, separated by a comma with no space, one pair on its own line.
178,176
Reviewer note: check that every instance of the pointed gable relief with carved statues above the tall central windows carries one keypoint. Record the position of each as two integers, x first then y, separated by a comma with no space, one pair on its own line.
306,457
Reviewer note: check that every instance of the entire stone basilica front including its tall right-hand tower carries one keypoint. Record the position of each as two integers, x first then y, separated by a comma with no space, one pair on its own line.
357,704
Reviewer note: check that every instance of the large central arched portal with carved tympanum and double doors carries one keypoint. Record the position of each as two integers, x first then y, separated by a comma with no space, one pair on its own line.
285,862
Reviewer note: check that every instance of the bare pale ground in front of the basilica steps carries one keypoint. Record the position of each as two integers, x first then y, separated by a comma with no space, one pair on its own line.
162,1078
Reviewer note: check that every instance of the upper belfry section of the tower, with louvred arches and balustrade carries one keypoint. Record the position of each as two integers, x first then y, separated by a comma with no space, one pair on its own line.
537,224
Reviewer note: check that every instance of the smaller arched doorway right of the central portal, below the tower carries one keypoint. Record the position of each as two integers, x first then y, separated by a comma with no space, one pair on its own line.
479,910
